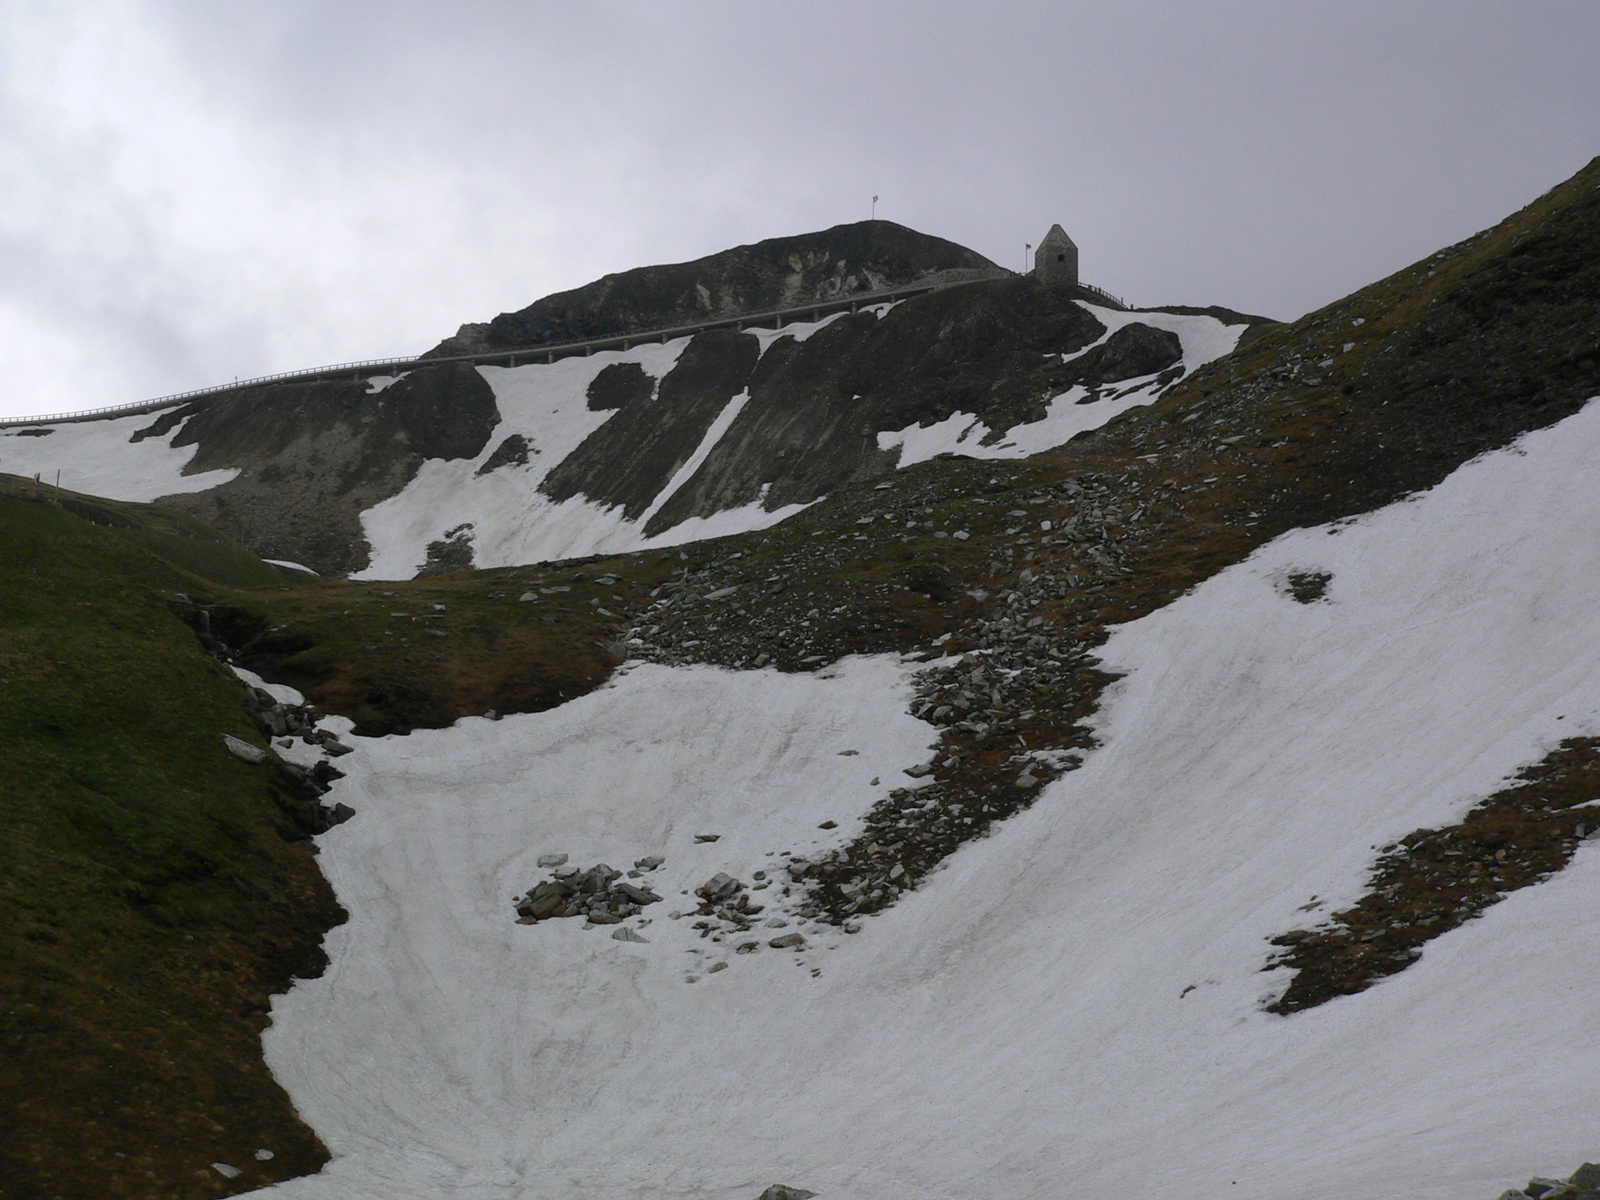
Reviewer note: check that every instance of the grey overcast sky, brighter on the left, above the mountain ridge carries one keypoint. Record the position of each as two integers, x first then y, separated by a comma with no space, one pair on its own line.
193,193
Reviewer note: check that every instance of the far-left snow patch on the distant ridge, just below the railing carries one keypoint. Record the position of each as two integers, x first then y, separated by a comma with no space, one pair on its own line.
98,458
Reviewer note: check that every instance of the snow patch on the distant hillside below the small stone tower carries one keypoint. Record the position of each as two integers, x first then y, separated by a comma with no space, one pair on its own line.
1204,338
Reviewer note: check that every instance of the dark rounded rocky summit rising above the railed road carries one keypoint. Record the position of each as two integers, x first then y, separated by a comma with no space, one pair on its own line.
774,274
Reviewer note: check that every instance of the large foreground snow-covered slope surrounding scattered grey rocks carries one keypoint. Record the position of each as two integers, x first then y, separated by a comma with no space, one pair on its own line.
1076,1004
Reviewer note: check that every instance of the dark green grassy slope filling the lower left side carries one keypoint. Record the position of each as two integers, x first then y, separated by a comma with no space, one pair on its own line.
150,902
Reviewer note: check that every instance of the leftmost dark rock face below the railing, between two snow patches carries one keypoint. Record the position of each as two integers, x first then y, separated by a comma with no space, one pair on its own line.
313,457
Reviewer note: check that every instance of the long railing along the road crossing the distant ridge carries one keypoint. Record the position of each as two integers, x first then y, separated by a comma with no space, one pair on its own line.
529,354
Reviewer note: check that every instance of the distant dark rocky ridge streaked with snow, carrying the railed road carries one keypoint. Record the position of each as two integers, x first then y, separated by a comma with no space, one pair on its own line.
666,442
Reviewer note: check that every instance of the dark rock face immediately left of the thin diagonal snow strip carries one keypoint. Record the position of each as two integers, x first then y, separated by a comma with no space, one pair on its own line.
634,455
